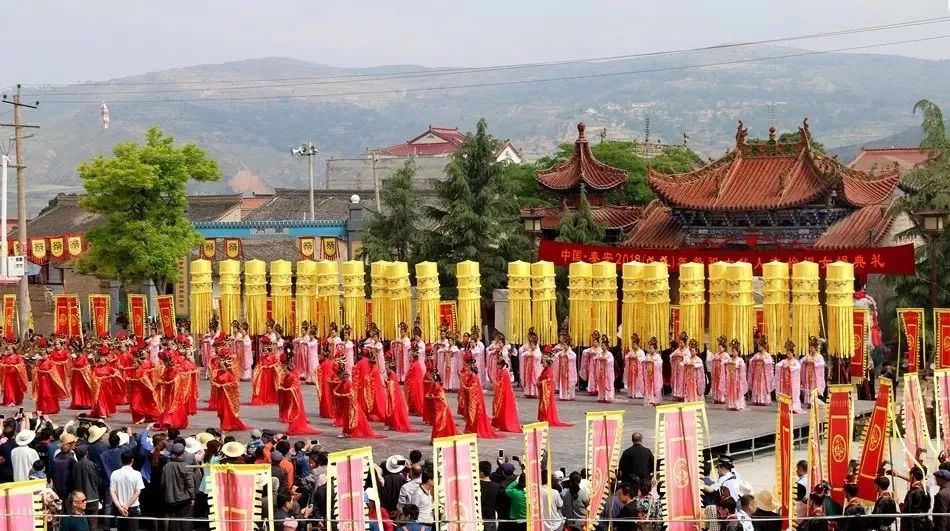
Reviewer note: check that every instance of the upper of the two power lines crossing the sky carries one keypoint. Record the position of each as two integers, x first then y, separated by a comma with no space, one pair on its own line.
351,78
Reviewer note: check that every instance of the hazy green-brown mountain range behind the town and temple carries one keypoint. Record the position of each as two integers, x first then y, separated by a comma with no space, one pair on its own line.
850,99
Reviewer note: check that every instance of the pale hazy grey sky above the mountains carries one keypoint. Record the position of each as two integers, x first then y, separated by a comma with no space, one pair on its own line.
72,40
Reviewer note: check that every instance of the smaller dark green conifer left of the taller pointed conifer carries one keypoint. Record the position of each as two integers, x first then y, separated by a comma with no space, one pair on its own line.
392,233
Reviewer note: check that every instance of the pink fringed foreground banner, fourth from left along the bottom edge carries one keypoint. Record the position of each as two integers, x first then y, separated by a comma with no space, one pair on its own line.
457,489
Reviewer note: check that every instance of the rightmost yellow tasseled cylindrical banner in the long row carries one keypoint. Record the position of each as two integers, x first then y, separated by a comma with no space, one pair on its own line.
839,297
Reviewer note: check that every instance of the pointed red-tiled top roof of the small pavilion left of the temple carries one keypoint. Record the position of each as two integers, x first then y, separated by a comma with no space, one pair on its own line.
582,167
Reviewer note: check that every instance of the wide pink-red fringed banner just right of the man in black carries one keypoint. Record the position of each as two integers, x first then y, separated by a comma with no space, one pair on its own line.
680,429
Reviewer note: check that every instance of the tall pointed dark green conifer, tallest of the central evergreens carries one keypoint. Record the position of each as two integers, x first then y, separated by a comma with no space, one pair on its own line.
476,217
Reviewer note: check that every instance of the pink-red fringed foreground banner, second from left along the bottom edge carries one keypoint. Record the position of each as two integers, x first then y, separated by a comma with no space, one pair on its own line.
235,496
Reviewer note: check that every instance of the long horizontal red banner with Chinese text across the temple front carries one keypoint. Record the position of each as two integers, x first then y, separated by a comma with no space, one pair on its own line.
892,260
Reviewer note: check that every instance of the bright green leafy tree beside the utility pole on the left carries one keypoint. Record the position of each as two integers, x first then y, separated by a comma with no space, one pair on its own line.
140,193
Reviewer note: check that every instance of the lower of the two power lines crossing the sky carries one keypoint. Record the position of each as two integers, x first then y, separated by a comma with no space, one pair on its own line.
515,82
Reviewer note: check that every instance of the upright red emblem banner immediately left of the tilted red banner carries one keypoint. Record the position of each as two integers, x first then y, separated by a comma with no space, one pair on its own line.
838,441
